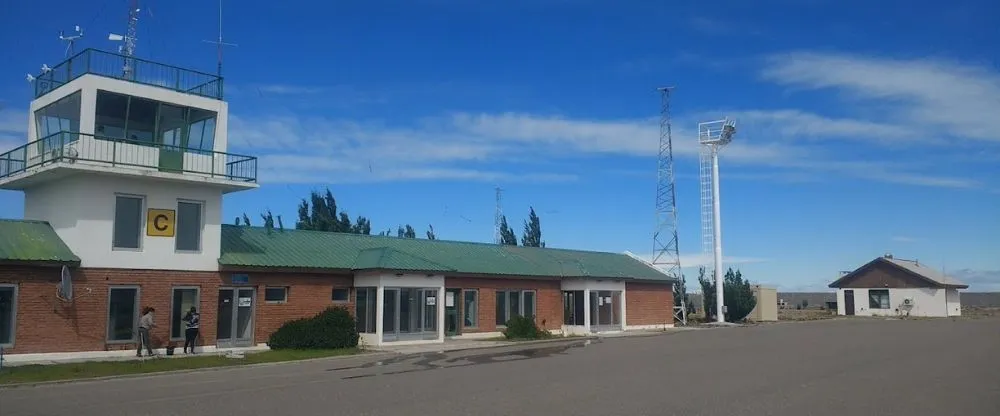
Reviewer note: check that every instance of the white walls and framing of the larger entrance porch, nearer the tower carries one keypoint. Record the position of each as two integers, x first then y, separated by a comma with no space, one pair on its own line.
384,280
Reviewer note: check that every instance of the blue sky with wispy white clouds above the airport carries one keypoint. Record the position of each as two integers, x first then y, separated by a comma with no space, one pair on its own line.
862,129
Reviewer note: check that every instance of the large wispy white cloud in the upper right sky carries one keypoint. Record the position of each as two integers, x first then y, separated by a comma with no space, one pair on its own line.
934,96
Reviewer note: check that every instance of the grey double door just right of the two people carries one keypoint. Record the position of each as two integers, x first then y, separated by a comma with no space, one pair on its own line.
235,325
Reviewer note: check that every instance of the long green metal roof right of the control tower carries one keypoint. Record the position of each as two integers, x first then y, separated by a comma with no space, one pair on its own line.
256,247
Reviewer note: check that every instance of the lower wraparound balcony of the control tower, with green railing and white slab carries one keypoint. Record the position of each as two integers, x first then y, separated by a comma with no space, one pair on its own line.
86,152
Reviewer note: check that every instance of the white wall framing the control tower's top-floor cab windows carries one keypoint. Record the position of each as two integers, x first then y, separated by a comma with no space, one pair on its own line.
89,84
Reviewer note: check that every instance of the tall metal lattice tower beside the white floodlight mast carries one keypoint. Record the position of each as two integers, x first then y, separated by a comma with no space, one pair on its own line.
665,250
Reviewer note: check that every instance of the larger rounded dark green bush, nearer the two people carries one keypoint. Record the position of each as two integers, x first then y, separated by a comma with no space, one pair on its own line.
330,329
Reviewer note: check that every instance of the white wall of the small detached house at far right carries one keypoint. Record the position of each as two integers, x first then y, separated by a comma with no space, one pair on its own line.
926,302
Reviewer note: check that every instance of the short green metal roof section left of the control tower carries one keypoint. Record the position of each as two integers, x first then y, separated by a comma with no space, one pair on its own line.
32,241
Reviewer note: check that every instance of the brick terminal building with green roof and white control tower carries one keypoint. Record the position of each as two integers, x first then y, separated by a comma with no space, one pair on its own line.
124,172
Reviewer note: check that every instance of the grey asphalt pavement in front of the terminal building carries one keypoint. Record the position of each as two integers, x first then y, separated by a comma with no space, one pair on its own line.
863,367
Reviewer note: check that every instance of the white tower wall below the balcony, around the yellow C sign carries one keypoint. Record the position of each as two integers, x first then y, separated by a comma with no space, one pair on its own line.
82,209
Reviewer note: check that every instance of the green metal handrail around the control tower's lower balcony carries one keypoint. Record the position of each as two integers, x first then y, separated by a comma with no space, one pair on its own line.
72,147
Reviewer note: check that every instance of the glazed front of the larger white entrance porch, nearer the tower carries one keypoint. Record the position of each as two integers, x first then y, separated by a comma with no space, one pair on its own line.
409,314
